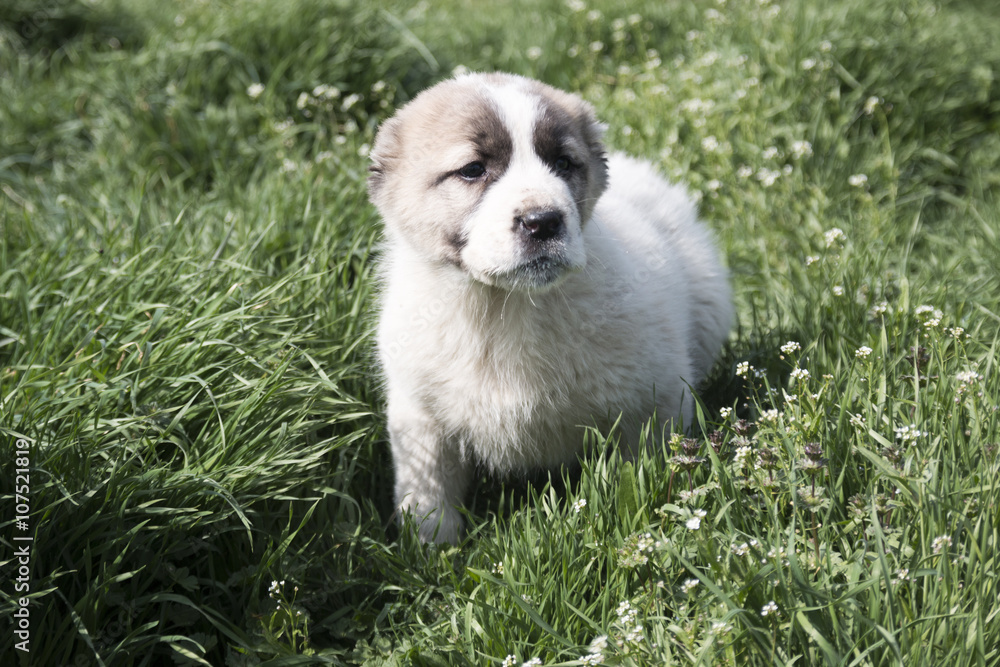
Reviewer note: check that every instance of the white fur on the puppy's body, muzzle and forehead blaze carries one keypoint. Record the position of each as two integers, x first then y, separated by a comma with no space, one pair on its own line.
506,377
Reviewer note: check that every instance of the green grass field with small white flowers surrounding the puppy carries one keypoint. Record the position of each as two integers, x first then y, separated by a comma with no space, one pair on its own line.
191,419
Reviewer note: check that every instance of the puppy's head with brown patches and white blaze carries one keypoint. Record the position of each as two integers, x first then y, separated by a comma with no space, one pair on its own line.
494,174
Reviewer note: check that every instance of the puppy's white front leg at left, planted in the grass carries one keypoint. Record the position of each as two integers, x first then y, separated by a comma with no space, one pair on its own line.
431,476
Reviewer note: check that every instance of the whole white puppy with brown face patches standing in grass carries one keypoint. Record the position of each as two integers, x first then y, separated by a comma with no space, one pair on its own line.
532,286
